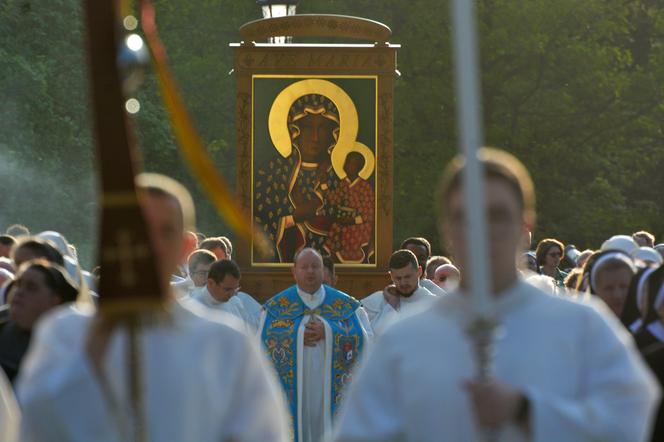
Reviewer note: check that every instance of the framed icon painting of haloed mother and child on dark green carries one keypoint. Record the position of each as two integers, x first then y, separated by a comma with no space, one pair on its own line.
314,152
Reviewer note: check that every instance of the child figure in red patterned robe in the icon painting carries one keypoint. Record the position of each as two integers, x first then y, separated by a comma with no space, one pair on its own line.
349,240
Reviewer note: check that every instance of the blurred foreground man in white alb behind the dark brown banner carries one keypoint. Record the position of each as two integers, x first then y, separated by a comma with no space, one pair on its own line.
203,378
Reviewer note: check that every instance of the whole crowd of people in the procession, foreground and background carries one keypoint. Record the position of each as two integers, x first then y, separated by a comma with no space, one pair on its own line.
578,356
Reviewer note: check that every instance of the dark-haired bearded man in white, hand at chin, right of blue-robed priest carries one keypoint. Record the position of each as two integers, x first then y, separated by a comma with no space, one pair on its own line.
403,298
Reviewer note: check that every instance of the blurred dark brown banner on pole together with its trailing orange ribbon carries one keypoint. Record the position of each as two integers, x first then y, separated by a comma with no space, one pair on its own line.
130,287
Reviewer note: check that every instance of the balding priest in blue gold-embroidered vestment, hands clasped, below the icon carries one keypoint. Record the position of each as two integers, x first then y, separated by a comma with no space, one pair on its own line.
314,335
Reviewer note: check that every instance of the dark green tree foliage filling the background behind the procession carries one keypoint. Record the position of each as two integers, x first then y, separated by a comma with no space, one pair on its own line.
573,88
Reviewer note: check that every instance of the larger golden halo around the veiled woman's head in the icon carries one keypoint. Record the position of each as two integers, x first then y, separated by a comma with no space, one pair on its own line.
278,118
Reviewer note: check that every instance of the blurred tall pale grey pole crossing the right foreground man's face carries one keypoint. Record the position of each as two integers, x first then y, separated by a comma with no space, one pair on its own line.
469,125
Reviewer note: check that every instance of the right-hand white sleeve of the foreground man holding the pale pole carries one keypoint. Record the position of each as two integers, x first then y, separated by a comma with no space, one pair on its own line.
616,399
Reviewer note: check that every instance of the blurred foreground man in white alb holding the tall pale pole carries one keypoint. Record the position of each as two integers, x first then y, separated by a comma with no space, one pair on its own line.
561,370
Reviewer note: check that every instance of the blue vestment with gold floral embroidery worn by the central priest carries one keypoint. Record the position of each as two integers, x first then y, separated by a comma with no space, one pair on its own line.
285,312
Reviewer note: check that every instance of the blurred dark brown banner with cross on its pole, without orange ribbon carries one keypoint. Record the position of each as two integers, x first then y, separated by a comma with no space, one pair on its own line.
129,282
